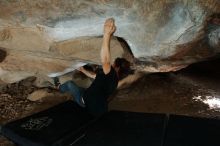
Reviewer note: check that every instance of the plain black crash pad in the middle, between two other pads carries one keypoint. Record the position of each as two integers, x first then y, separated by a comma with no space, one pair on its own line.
118,128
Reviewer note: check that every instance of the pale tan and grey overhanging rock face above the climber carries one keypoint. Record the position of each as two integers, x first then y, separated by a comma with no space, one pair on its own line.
48,36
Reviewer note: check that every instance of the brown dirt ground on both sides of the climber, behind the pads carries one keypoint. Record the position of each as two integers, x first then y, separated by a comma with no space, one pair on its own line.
182,92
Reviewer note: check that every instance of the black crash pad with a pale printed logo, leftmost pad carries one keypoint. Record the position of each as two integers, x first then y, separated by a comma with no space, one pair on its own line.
57,126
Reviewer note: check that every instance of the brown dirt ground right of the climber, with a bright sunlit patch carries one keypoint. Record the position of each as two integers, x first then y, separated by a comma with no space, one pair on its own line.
168,93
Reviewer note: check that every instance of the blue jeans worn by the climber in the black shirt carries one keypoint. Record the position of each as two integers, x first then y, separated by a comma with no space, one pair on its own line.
74,90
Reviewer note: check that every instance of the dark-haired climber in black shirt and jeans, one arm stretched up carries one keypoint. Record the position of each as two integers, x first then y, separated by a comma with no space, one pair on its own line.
95,97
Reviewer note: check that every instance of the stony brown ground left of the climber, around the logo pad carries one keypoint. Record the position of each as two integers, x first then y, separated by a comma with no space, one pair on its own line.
14,102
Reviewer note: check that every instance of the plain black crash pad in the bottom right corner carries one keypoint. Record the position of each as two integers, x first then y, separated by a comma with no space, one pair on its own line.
191,131
